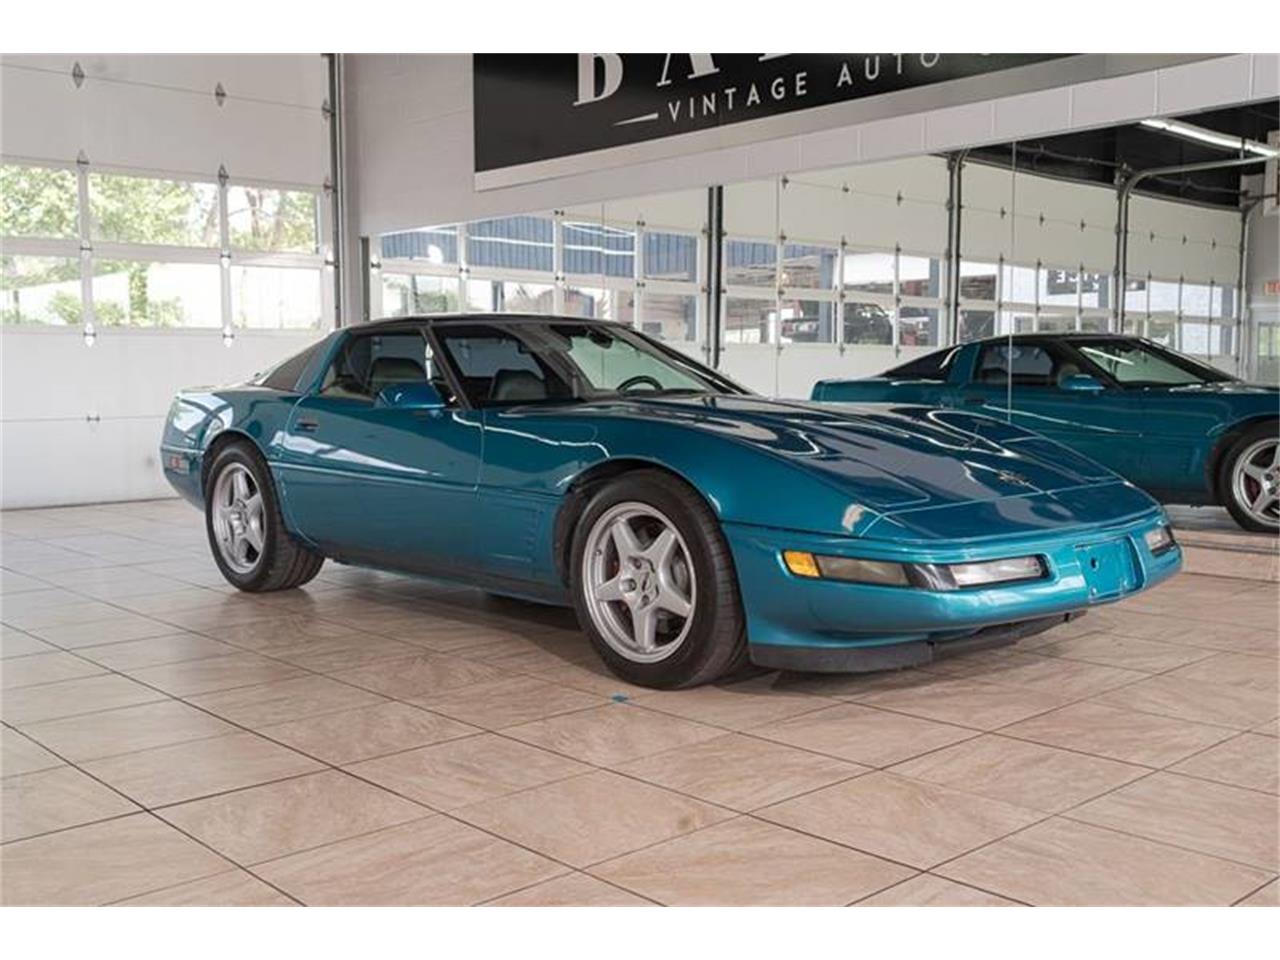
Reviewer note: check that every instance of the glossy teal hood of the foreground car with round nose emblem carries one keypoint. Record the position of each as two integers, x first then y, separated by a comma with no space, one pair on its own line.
884,458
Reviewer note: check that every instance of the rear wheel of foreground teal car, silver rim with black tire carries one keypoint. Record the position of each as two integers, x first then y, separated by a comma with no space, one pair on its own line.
246,533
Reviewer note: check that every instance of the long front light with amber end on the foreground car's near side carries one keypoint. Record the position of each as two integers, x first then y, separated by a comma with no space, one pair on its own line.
927,577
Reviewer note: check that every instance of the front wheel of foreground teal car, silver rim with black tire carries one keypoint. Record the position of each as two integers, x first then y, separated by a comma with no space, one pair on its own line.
655,586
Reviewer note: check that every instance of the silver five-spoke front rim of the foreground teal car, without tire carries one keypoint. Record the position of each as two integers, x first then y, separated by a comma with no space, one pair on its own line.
639,583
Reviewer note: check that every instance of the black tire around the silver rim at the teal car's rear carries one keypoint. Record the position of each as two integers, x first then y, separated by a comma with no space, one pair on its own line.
284,564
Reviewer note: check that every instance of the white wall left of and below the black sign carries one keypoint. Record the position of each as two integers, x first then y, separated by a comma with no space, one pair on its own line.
412,150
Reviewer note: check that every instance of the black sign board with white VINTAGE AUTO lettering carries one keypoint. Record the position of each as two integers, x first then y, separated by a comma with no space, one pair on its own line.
531,108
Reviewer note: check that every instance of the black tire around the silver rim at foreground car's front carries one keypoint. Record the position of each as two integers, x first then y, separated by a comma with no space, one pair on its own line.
716,643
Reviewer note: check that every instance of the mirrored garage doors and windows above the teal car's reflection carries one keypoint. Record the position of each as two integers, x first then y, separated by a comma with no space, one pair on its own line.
848,272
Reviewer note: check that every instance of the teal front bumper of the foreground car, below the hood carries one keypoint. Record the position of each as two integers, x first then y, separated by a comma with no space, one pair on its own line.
830,625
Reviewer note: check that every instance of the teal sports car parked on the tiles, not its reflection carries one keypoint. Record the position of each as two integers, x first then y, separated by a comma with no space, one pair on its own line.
691,524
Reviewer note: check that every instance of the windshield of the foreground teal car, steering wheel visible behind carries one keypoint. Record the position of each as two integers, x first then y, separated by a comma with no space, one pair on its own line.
566,362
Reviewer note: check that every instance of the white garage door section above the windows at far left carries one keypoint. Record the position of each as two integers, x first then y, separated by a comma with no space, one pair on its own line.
161,115
